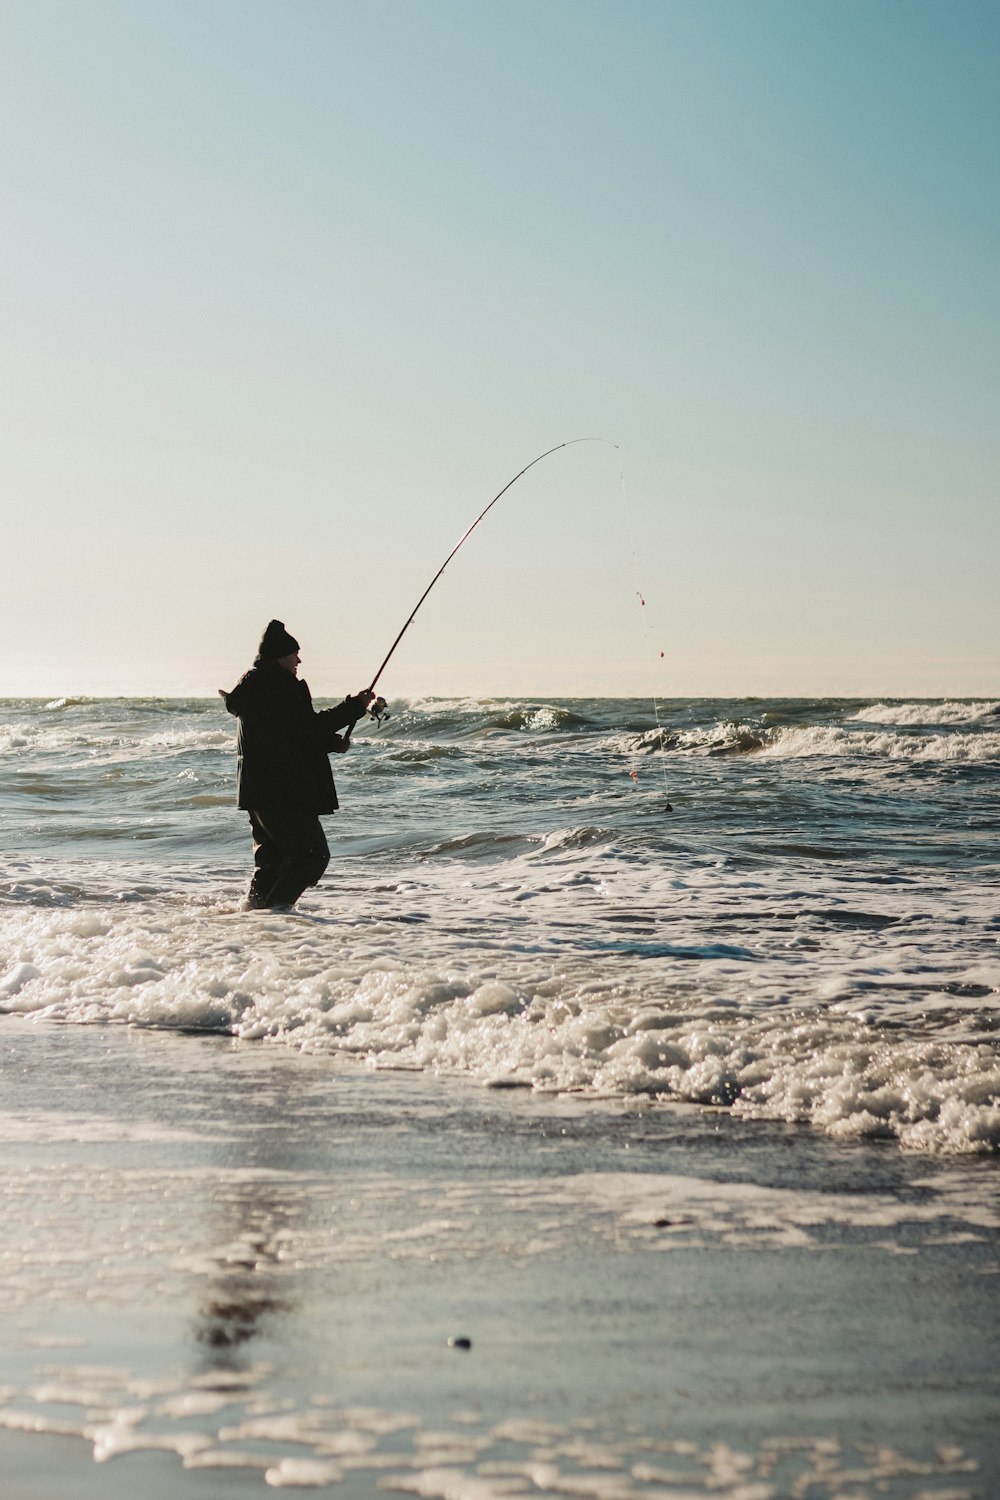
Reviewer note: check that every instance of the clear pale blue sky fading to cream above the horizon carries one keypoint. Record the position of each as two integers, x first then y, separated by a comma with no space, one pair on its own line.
292,289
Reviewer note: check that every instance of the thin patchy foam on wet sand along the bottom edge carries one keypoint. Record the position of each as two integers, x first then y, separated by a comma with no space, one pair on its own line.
513,1457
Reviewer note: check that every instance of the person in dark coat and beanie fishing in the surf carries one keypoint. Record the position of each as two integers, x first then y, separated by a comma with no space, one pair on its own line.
284,776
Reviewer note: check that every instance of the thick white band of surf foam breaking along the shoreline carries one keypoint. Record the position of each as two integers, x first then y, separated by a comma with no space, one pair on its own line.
507,1019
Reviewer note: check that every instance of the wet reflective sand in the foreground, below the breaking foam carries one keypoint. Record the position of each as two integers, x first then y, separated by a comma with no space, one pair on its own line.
227,1270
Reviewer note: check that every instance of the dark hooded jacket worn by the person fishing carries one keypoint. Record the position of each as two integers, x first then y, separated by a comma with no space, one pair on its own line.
283,743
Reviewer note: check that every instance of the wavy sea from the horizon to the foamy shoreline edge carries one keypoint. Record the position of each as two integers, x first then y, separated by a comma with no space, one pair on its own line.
783,910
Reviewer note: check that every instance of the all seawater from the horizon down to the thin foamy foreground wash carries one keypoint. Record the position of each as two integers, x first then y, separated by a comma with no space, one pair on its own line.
618,1118
